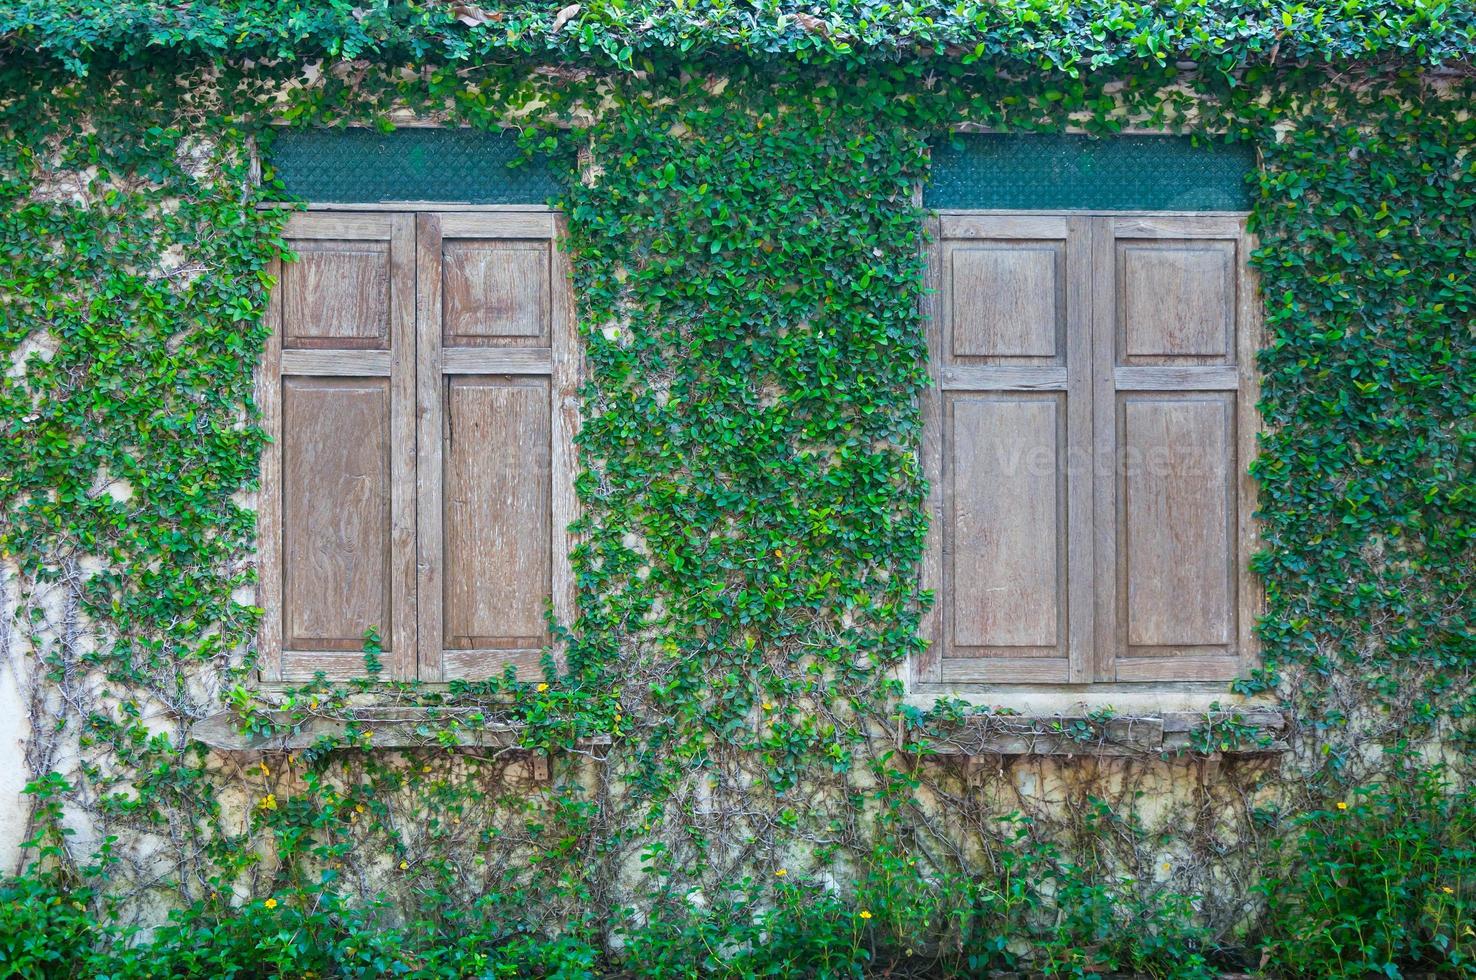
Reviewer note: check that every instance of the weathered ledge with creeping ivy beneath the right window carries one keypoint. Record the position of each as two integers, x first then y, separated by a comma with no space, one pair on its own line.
1214,734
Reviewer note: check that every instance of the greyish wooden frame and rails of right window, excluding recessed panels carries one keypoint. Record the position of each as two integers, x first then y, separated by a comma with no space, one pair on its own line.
1092,652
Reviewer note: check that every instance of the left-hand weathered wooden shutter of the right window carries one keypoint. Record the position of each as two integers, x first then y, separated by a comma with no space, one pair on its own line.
1012,418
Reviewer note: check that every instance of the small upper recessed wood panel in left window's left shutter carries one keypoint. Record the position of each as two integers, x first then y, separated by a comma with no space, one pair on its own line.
337,296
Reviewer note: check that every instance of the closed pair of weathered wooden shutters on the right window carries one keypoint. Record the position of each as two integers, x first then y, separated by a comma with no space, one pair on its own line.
1086,444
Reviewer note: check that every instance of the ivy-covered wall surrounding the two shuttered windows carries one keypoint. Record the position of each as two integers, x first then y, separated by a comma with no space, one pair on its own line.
748,253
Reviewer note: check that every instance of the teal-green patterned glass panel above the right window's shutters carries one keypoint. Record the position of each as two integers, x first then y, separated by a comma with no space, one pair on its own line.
1068,172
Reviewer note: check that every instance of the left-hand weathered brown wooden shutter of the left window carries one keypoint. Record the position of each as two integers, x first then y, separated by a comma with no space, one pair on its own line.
337,395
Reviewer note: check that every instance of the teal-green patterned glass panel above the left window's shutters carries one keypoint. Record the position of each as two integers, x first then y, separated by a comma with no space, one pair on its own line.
361,166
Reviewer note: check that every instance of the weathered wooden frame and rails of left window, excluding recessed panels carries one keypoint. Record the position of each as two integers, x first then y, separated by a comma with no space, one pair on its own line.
415,367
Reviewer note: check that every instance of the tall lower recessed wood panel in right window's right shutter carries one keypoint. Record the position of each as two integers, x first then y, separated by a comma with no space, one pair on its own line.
1177,517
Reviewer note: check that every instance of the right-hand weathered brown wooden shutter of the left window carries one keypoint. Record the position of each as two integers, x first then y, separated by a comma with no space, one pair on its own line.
497,423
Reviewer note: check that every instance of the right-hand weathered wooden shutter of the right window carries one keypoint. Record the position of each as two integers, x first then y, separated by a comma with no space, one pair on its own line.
1174,420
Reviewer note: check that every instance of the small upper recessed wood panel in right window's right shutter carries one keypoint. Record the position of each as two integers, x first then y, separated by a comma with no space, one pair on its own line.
1177,302
